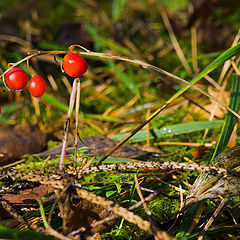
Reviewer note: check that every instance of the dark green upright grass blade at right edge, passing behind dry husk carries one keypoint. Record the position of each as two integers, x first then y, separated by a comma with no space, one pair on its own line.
229,123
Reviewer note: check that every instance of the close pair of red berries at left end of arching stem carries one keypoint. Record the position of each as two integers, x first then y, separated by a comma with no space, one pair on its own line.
17,79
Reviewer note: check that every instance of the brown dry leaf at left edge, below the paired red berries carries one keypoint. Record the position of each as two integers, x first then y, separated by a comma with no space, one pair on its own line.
15,141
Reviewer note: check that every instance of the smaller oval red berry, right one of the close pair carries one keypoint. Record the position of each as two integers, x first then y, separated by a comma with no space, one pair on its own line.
37,86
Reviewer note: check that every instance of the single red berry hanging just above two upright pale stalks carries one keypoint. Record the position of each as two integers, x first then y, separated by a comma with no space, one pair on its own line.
74,65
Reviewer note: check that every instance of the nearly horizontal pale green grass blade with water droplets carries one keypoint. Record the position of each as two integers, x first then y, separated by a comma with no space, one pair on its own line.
167,131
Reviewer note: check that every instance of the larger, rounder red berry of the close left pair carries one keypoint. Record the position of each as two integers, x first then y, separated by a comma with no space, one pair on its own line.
16,79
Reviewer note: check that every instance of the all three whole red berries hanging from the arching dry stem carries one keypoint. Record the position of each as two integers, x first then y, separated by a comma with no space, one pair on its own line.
74,65
